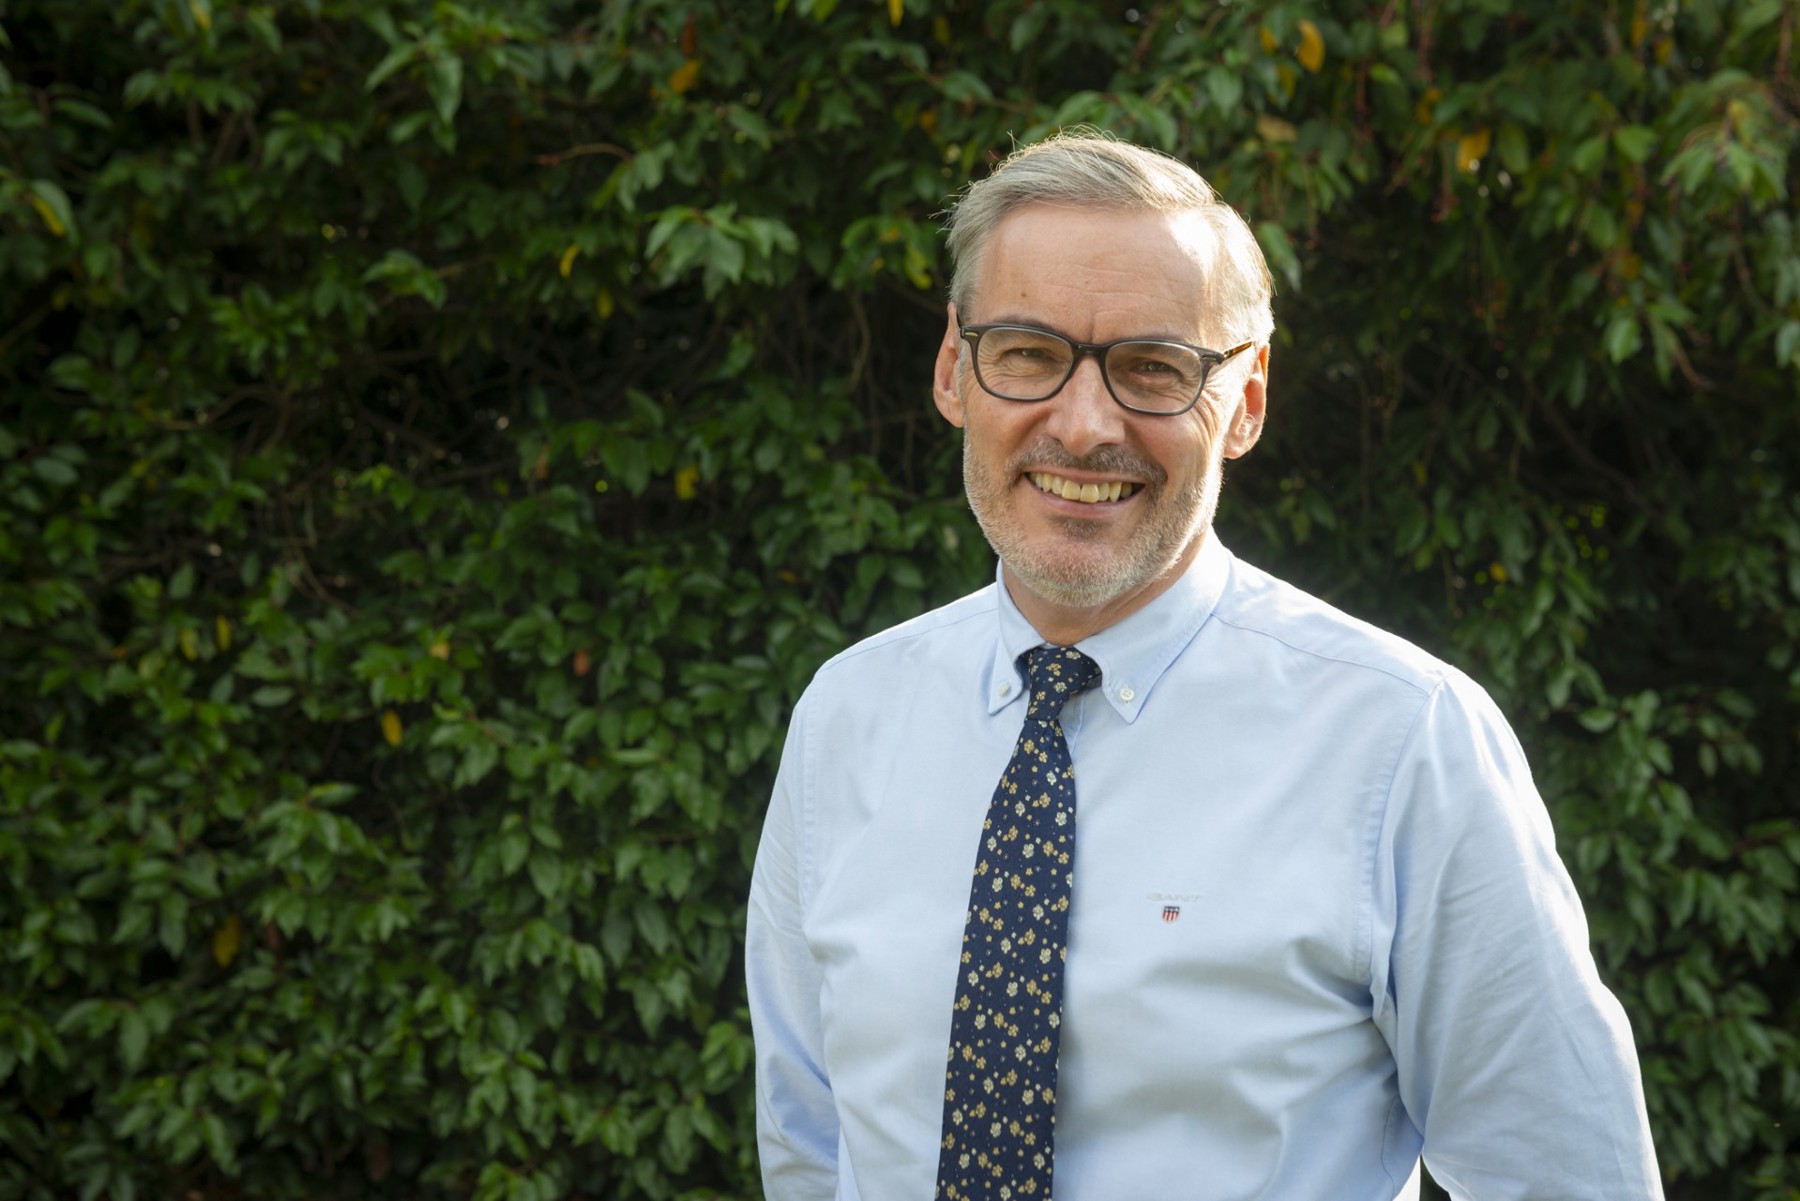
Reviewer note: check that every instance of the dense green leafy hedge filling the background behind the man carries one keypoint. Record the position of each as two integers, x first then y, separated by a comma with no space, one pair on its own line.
440,440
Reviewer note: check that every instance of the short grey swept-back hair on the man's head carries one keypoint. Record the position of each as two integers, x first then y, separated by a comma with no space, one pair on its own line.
1088,170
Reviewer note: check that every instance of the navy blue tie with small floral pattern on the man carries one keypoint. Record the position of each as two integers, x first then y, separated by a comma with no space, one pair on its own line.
1000,1088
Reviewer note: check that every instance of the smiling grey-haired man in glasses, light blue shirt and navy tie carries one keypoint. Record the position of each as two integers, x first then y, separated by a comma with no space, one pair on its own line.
1306,921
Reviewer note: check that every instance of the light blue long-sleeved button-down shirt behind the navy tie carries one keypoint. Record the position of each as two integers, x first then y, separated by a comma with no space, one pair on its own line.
1318,919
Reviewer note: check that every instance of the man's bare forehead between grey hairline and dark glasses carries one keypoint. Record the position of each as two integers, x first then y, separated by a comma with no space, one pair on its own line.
1097,275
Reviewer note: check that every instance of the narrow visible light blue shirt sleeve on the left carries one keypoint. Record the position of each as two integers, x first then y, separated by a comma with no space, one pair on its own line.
796,1121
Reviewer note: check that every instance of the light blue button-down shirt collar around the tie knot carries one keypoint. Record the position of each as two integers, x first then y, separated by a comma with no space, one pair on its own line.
1135,653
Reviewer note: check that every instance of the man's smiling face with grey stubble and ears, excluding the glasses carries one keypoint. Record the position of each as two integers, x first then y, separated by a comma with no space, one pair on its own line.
1095,276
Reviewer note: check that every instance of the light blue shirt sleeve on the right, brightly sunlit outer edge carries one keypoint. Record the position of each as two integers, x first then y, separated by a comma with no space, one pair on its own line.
1515,1061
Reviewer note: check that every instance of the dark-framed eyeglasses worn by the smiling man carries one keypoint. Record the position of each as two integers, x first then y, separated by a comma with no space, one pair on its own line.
1144,375
